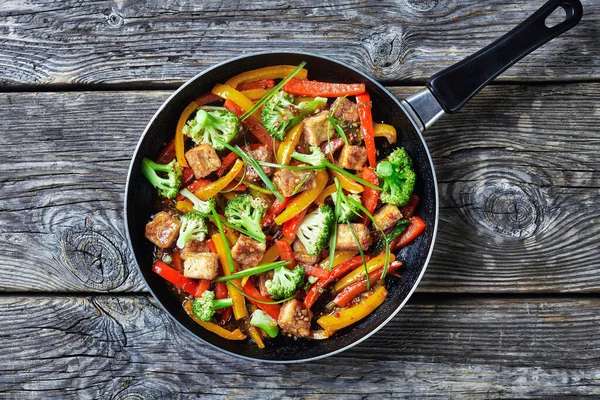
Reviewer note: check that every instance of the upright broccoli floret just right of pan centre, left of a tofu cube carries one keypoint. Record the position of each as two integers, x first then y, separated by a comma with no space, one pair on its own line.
314,230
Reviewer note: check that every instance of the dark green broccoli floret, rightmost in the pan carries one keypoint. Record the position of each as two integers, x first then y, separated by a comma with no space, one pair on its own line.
398,178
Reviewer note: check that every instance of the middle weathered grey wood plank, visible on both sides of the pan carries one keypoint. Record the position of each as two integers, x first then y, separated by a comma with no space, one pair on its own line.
518,171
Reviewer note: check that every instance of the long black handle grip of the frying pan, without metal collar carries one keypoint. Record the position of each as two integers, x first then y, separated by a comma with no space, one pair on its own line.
455,85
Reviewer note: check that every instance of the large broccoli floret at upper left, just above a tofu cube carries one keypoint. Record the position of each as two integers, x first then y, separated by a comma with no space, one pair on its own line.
208,125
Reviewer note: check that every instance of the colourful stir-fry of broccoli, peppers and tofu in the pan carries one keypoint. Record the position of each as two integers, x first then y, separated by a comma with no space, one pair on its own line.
274,215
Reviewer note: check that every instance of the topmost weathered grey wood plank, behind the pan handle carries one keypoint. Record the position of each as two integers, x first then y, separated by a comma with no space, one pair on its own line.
156,42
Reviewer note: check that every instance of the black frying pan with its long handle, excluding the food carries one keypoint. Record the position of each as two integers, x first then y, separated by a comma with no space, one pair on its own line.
446,92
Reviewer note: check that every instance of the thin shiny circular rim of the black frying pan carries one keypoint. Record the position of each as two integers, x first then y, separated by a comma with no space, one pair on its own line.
376,328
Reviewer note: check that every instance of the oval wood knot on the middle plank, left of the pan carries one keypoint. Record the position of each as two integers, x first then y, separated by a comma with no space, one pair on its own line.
93,259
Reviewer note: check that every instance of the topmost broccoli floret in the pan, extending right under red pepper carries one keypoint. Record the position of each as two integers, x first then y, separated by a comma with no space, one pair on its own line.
280,113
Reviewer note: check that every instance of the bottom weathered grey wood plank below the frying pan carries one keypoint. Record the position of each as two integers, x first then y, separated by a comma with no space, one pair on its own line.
126,346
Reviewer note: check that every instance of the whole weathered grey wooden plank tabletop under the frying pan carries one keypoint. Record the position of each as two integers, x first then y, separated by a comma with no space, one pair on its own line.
509,306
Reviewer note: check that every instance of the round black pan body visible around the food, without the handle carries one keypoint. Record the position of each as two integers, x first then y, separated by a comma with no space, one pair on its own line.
385,109
